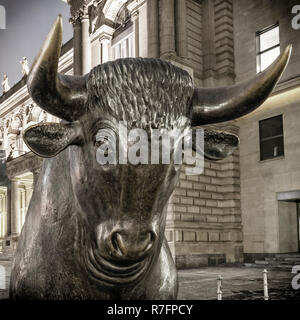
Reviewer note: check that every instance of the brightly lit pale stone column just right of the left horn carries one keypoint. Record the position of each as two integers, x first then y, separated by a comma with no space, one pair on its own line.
85,42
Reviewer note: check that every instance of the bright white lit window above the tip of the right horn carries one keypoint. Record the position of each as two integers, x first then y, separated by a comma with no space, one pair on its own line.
268,47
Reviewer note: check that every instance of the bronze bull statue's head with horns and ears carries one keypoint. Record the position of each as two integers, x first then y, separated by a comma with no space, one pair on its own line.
127,225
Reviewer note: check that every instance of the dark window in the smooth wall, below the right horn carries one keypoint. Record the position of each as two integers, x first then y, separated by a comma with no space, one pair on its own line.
271,138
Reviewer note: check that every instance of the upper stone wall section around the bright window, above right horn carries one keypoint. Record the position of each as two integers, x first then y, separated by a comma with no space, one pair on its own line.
253,16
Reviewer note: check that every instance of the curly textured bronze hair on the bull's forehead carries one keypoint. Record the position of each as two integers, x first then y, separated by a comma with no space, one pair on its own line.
141,91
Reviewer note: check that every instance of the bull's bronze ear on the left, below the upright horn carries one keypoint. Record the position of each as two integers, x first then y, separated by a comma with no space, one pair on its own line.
49,139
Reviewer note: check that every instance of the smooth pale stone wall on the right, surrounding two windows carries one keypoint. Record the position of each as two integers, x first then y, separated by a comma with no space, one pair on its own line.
265,221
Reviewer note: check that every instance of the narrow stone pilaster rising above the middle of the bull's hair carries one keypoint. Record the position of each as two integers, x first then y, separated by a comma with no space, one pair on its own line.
153,28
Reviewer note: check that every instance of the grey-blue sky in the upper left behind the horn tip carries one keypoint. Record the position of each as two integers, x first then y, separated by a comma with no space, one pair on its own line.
27,25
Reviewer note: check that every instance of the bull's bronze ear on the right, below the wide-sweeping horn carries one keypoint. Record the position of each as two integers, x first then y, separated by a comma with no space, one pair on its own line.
217,144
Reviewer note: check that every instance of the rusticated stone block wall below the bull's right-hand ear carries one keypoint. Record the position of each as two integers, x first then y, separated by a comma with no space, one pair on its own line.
204,215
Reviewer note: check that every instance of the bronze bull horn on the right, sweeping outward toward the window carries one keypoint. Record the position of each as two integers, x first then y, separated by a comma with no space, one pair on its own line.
212,105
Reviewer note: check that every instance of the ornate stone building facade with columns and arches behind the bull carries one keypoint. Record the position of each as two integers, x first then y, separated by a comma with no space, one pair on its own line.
206,221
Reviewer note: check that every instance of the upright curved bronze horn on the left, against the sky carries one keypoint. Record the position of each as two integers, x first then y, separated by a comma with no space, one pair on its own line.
61,95
